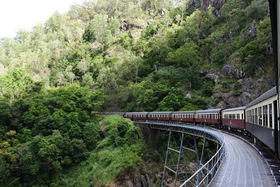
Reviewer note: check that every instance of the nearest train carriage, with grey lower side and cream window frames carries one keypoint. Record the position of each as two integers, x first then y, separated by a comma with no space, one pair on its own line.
260,118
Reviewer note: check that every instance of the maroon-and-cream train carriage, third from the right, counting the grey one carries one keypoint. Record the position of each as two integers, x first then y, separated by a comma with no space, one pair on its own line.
211,116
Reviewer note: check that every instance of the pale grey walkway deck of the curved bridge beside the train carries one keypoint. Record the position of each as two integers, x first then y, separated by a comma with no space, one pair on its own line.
243,166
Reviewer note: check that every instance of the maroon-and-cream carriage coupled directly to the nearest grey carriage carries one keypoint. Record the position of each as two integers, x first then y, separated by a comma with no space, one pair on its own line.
234,118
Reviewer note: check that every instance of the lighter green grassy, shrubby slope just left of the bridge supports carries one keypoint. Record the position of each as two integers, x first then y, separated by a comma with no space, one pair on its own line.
110,159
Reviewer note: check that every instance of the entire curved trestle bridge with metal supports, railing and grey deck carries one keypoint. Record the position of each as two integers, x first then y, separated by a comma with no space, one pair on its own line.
235,162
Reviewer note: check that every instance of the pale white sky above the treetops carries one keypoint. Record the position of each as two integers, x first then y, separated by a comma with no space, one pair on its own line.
25,14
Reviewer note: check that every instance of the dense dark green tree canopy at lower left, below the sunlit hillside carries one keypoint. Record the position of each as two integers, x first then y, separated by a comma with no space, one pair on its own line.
52,130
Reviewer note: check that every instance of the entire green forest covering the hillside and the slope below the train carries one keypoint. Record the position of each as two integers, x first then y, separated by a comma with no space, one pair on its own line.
121,55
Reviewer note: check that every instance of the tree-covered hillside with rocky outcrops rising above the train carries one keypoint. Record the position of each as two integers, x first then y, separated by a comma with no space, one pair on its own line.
207,53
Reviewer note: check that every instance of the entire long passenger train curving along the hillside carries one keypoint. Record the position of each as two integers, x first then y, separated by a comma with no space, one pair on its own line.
258,119
